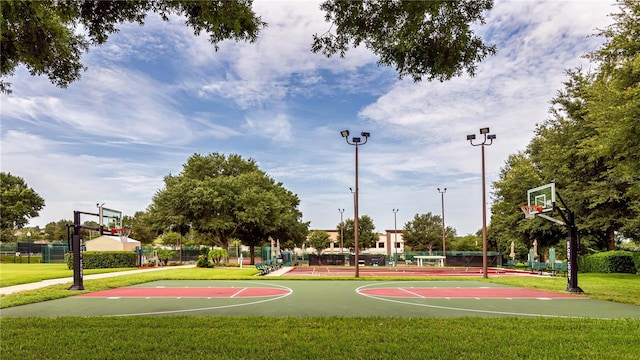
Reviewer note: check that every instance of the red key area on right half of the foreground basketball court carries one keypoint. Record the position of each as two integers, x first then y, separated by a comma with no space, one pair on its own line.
464,293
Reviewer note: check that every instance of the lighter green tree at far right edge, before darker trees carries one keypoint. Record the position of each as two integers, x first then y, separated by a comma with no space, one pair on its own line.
613,103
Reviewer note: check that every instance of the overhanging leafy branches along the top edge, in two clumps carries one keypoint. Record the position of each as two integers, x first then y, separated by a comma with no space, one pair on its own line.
432,39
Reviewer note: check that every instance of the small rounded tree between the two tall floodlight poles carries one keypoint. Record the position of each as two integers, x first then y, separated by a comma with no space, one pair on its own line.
424,232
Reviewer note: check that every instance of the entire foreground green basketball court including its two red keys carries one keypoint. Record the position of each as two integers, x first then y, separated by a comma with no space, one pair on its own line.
300,298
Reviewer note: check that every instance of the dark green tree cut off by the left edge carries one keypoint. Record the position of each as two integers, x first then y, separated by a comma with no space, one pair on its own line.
18,204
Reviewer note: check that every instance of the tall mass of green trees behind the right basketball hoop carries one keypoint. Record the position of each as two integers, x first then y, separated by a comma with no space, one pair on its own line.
588,147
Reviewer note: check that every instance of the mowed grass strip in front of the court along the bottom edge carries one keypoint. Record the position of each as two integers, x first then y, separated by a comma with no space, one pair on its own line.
317,338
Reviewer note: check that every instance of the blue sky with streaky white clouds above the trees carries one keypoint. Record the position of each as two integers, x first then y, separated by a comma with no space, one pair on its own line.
154,95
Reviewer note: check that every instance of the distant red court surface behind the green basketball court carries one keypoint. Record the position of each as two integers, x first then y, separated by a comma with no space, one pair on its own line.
400,271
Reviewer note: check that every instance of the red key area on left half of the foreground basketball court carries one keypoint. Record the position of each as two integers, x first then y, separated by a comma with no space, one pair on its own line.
192,292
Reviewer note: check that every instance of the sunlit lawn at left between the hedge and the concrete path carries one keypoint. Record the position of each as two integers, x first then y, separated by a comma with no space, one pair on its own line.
16,274
